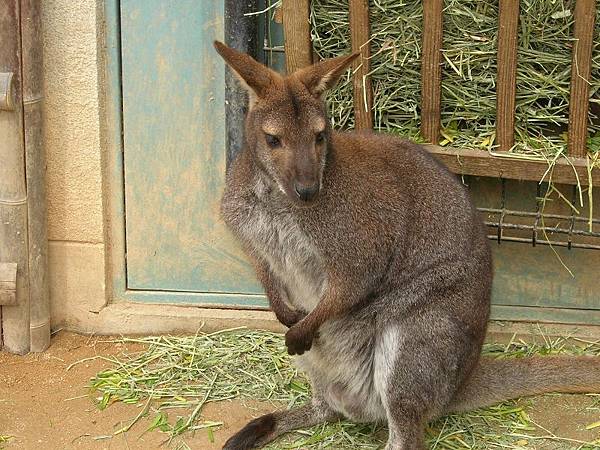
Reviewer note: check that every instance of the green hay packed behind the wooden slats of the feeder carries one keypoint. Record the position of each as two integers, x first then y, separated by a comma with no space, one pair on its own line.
468,71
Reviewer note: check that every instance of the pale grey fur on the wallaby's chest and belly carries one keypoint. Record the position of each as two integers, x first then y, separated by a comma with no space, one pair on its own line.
345,364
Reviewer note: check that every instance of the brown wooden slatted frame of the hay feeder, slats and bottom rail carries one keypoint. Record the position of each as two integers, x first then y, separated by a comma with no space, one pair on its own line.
571,170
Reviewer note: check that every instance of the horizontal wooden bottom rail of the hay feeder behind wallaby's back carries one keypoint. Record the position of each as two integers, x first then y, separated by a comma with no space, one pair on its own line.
481,163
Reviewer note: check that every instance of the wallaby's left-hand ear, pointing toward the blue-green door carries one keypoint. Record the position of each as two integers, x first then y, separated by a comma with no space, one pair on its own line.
255,77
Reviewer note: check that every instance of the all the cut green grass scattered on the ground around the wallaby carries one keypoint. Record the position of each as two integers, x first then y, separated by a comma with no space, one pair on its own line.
175,377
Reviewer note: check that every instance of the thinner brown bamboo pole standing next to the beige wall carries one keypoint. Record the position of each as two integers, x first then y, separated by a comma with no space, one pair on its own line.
32,64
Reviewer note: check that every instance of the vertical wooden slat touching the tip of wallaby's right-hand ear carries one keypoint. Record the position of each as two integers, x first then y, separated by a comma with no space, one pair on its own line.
360,35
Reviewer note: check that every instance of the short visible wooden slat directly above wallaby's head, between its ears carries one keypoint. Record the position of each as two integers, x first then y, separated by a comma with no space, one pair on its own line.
296,29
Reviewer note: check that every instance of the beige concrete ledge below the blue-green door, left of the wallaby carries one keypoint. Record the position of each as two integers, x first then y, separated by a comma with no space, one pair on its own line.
152,319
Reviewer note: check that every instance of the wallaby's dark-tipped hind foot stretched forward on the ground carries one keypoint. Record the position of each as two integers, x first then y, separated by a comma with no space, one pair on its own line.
268,427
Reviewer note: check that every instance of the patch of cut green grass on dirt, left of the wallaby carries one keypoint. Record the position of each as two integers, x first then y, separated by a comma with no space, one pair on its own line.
178,374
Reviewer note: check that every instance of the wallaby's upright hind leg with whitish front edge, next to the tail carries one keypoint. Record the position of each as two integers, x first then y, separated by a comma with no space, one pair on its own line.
417,371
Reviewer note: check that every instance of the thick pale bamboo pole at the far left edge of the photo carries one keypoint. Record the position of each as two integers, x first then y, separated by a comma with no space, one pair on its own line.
13,193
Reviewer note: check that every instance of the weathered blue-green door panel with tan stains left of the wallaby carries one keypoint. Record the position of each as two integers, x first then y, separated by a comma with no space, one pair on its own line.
174,155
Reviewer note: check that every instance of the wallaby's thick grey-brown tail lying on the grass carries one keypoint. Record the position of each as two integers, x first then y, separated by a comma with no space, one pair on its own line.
496,380
